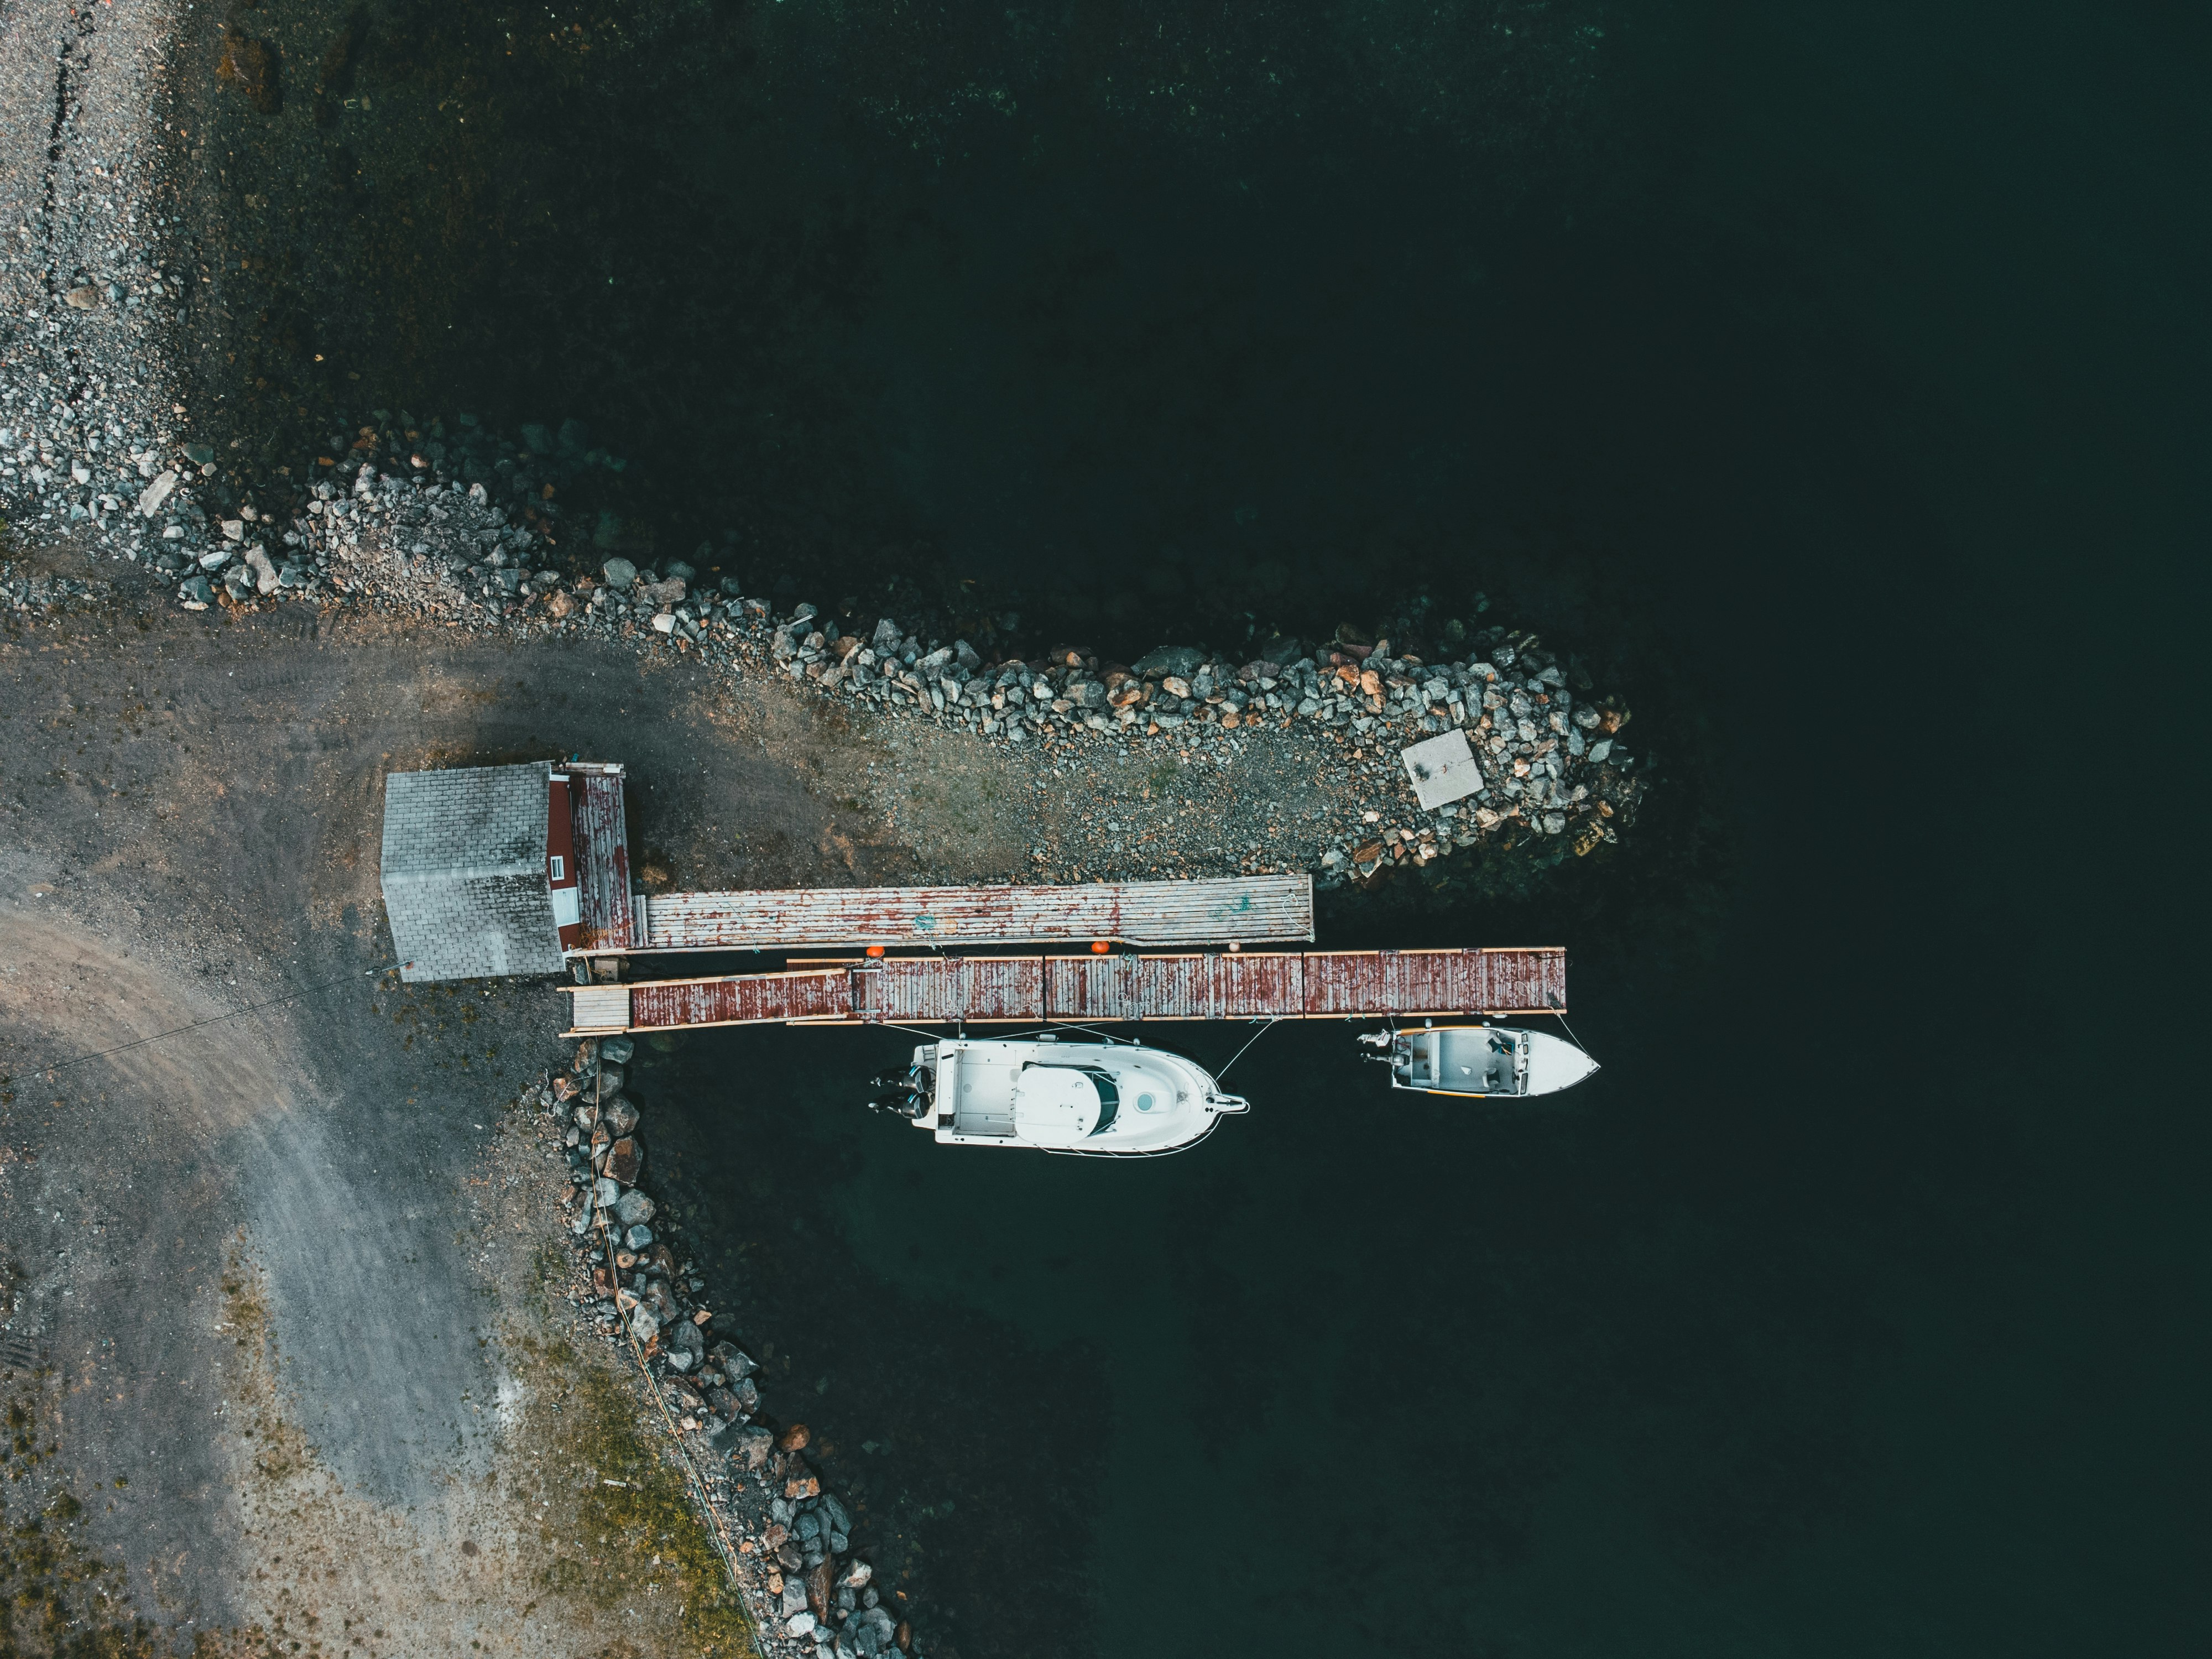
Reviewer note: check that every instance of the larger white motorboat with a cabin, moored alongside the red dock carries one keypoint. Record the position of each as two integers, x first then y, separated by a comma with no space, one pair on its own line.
1087,1098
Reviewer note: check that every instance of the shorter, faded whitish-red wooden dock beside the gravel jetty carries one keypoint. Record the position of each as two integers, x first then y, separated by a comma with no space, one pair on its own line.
1233,910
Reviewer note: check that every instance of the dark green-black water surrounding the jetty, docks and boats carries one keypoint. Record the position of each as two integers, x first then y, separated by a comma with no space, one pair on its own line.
1833,379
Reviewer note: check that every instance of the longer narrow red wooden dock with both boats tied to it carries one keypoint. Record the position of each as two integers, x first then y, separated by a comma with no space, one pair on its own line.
1045,990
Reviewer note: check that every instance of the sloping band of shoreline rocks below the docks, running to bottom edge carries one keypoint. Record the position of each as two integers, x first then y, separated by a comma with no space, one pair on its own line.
795,1550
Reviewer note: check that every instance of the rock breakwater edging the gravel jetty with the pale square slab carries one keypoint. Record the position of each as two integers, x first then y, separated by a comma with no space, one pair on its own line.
419,543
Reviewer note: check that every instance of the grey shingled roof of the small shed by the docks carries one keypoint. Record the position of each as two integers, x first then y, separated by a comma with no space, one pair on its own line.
466,873
